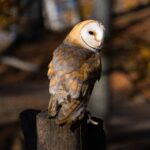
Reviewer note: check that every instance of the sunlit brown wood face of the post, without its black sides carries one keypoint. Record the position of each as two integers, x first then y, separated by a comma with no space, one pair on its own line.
53,137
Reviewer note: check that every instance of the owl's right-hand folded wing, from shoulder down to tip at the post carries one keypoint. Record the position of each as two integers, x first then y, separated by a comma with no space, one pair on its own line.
79,84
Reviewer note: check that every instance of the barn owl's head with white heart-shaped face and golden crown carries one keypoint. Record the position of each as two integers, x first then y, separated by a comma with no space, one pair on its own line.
87,34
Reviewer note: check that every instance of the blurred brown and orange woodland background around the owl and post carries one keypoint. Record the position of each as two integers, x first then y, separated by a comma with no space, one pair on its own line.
31,30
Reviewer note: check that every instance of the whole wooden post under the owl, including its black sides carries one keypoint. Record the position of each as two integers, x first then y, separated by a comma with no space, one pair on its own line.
50,136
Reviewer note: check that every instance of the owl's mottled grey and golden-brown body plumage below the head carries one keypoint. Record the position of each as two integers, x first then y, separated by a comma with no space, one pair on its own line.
76,78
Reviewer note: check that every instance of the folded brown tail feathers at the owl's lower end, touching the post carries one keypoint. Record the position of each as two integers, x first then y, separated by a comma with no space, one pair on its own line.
70,112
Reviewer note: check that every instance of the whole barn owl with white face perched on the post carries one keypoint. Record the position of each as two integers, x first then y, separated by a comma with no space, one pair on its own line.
73,71
